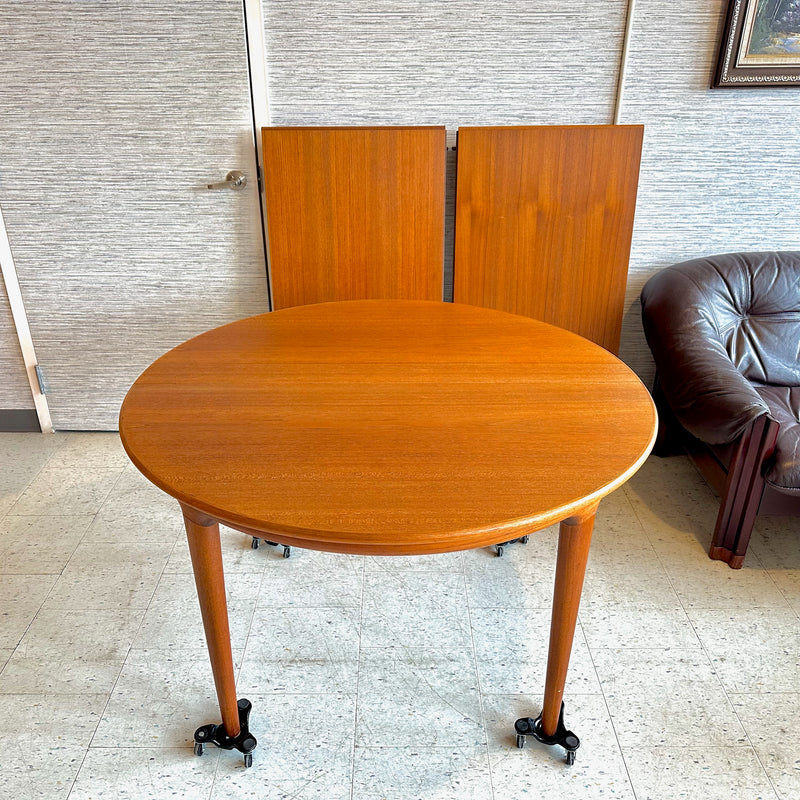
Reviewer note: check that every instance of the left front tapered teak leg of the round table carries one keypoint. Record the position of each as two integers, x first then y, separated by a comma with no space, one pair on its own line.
206,552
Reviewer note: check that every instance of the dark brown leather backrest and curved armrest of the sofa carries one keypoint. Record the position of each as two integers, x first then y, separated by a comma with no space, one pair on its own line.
717,327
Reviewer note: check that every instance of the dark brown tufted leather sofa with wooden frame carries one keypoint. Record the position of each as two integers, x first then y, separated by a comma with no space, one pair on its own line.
725,335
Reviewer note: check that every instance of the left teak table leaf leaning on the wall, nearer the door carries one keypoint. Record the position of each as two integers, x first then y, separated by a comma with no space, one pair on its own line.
354,213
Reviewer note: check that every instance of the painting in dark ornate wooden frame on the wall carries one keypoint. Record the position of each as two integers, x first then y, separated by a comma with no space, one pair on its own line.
760,44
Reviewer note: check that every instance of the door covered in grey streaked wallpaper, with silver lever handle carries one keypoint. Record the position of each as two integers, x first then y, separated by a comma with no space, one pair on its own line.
116,117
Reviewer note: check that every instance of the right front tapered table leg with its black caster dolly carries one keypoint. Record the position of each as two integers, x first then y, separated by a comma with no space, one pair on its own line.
575,535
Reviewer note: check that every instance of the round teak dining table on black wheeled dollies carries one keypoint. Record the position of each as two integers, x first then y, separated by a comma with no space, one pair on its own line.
388,427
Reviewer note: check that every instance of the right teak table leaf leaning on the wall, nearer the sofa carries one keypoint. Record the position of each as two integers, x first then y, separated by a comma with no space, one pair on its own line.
544,219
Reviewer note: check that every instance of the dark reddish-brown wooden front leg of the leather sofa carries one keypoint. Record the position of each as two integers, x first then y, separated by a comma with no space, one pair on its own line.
743,491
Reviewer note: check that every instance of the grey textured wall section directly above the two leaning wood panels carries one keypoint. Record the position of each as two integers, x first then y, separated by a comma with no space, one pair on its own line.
459,62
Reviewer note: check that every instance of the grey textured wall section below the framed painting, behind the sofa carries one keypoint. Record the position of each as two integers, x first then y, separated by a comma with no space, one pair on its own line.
719,167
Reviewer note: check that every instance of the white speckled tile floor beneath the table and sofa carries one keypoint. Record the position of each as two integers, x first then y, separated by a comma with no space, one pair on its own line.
385,679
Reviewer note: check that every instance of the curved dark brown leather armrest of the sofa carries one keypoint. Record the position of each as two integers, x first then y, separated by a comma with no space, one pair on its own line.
706,392
